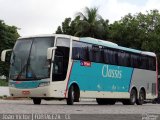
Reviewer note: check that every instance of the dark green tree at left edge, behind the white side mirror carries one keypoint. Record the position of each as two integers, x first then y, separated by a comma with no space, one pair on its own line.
8,36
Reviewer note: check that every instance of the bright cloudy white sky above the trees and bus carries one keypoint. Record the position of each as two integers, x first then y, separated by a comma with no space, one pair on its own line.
34,17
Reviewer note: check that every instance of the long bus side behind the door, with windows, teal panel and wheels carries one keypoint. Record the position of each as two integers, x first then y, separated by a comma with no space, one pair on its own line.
112,74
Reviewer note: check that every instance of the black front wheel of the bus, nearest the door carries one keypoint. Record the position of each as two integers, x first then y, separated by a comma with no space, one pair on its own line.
71,96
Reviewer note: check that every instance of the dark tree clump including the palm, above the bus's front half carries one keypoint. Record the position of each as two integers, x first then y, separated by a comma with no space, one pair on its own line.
86,24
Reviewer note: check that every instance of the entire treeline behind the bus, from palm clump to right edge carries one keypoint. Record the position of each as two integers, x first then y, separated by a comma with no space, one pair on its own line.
139,31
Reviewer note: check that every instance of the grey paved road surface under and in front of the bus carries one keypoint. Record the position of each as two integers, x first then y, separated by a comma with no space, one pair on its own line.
84,109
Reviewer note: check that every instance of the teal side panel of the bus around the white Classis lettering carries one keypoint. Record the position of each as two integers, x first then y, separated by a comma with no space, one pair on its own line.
91,78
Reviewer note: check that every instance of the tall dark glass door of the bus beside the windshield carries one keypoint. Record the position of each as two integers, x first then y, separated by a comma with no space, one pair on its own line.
61,59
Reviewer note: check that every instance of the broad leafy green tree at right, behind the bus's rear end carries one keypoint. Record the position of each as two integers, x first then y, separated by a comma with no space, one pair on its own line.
140,31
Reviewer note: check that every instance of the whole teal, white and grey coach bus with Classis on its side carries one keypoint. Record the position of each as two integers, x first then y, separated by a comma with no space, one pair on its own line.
65,67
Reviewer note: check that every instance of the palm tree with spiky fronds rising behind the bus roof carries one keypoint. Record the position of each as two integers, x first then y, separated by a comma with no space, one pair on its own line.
89,23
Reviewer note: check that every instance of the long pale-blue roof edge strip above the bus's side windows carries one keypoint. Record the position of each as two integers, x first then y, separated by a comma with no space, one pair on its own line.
114,45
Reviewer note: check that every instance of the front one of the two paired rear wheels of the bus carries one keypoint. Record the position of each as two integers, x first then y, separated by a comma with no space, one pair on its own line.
132,99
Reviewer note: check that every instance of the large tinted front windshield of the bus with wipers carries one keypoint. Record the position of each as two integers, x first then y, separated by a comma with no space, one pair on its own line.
29,59
